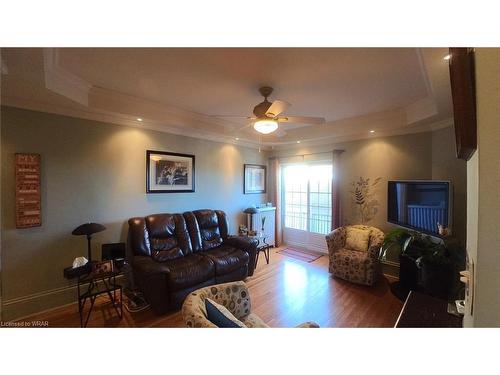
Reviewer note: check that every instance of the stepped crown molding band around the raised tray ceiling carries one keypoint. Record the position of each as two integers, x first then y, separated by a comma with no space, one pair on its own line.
105,105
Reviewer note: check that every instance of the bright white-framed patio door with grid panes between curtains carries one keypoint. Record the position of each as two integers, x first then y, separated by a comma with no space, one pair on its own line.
306,204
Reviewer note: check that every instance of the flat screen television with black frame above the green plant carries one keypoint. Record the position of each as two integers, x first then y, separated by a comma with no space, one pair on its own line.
420,205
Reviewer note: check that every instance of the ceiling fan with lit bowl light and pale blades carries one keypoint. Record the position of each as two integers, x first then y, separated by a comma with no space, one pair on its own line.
267,115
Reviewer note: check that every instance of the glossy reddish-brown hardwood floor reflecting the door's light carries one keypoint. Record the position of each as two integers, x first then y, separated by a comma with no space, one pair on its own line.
284,293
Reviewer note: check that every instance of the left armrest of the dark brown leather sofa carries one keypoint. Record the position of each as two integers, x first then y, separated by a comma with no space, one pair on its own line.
151,278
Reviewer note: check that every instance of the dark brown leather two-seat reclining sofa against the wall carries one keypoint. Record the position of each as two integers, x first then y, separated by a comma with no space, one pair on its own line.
174,254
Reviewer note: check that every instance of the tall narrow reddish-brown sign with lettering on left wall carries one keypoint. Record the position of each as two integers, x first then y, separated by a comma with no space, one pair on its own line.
28,196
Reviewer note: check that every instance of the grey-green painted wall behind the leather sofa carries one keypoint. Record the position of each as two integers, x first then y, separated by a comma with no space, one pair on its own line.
94,171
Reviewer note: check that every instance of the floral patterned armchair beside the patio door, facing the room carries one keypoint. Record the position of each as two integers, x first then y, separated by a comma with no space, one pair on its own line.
360,267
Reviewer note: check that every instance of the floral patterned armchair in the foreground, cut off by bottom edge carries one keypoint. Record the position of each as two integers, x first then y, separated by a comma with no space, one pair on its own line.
234,296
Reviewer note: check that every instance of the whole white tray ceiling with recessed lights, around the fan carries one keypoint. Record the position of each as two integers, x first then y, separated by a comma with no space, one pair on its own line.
180,90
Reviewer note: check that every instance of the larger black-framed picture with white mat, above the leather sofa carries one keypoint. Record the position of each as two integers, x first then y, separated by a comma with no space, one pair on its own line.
168,172
